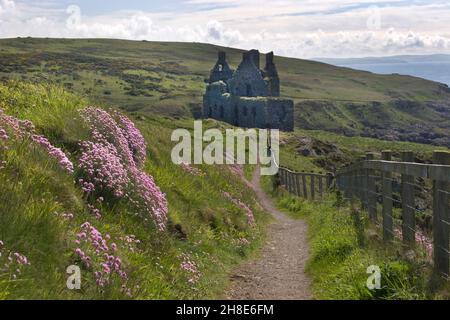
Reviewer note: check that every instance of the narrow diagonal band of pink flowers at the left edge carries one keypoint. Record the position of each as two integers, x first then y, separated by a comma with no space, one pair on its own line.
25,129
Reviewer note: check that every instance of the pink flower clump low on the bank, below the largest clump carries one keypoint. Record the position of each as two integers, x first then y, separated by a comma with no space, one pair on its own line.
96,254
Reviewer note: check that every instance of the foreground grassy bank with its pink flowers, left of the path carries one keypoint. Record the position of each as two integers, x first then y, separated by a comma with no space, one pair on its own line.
95,188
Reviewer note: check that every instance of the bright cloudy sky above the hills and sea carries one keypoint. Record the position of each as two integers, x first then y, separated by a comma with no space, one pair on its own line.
296,28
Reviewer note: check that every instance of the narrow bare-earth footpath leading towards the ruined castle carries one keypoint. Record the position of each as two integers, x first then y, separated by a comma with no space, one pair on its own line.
278,273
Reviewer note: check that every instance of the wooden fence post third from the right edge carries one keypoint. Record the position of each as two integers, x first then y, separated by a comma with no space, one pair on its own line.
388,229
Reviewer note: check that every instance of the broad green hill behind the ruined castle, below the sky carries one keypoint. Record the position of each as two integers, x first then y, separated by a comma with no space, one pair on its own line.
168,79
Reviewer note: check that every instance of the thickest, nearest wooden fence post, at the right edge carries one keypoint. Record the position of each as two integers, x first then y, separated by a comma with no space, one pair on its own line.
441,217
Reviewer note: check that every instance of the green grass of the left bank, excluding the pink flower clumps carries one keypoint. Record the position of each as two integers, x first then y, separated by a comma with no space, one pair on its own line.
34,193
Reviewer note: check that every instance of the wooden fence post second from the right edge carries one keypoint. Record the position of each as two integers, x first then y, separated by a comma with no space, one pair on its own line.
408,224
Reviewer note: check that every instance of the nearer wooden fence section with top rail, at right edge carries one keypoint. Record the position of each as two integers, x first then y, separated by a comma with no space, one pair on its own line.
395,186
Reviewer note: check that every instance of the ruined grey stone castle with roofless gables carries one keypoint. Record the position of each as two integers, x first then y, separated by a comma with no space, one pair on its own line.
248,97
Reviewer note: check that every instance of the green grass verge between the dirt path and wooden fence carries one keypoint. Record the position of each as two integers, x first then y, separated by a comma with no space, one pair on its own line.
344,244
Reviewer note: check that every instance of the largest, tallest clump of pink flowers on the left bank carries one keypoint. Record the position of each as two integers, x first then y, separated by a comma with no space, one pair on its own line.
111,164
